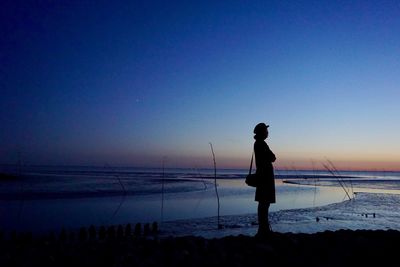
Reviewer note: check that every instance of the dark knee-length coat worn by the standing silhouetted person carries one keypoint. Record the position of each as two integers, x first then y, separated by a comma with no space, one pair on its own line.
265,171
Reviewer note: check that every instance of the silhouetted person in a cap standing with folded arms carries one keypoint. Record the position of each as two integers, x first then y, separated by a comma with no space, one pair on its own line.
265,190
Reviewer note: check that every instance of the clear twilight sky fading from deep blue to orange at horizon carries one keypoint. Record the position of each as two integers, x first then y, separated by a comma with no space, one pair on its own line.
129,83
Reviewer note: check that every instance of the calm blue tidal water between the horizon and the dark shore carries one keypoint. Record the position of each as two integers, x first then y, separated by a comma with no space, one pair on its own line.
43,199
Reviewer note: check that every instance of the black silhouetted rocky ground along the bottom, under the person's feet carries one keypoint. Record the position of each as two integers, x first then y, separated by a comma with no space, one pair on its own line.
125,247
